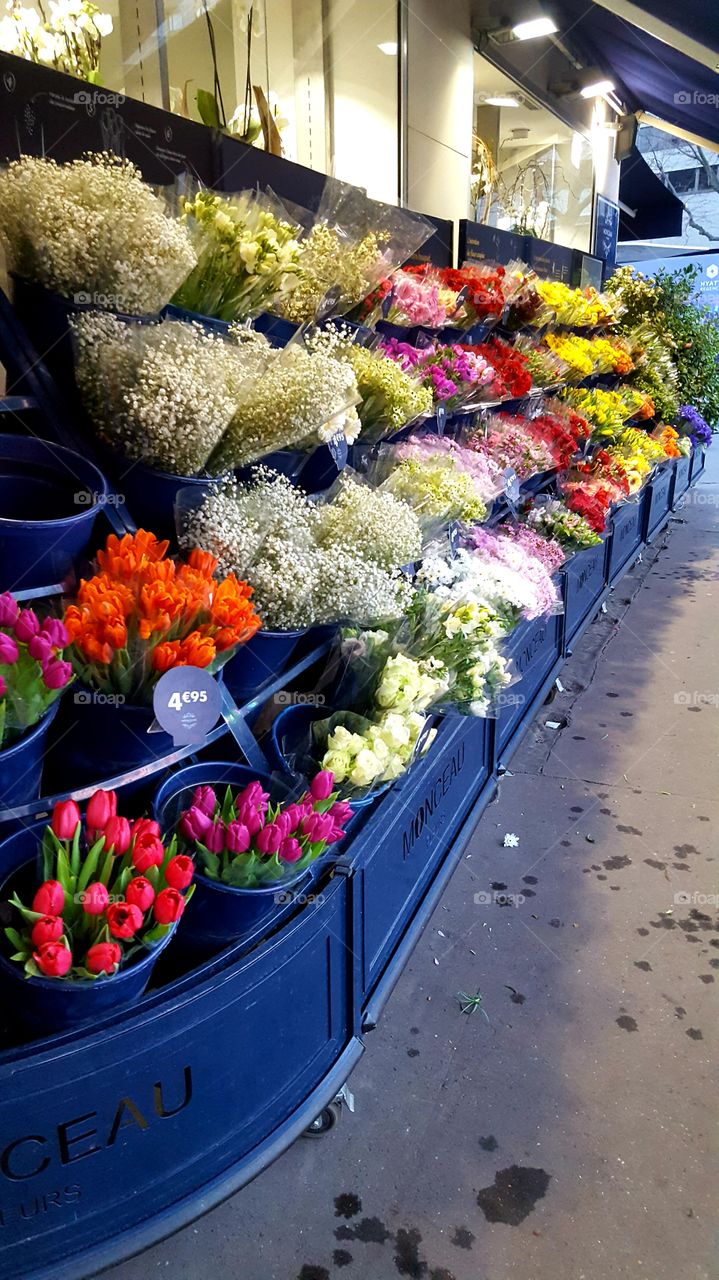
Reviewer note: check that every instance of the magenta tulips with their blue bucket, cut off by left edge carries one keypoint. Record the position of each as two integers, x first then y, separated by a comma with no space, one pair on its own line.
33,676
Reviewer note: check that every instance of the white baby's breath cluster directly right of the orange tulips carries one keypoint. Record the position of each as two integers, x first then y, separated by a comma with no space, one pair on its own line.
306,566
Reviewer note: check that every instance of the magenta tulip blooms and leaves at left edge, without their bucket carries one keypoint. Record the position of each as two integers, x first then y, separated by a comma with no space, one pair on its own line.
34,669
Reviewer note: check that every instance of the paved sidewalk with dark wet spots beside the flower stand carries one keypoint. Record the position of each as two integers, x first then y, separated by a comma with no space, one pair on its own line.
565,1136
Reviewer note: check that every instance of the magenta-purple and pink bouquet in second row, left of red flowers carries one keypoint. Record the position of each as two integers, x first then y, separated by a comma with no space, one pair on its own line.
454,374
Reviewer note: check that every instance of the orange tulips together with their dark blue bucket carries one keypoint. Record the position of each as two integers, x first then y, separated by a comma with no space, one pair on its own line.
139,616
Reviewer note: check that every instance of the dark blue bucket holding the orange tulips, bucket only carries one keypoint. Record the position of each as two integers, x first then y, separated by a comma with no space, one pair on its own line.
93,740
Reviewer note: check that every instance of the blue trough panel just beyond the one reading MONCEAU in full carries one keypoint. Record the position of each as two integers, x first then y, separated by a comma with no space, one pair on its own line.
535,650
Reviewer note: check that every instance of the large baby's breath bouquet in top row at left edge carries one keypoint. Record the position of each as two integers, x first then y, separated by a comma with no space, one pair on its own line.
93,230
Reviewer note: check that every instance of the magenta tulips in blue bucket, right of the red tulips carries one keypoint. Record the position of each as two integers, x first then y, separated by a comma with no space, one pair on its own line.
251,853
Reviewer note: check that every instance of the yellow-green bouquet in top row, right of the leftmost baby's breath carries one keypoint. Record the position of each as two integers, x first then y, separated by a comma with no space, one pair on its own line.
246,255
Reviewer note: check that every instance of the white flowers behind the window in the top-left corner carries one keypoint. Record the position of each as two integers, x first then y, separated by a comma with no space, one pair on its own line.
66,35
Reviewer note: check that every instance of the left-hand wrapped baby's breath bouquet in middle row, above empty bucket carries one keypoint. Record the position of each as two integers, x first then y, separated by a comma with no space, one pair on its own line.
166,394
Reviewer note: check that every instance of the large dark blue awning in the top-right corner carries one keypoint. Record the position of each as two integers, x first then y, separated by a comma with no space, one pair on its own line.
651,75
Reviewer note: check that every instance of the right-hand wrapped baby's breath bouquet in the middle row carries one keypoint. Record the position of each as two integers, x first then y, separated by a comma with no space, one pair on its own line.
303,400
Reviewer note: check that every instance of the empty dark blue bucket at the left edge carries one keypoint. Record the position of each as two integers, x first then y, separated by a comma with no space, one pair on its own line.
49,502
